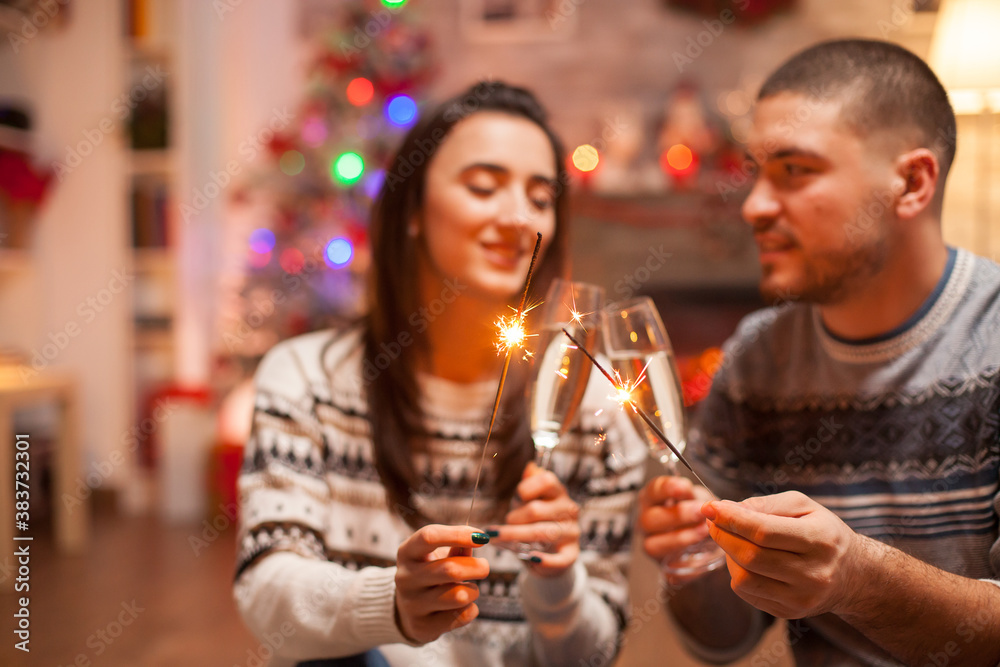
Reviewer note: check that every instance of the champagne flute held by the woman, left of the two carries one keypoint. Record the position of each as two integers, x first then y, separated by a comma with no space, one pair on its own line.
560,372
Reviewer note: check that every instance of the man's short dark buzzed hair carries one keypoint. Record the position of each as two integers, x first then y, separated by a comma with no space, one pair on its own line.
883,87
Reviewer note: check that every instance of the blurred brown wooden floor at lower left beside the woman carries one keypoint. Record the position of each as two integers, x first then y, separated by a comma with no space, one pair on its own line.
139,596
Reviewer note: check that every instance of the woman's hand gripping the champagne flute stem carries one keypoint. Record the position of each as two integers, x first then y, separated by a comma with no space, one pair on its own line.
549,517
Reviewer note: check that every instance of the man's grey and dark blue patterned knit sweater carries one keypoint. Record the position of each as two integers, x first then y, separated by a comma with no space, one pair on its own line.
900,435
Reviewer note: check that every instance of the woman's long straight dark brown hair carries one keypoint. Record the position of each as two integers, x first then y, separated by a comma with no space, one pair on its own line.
393,404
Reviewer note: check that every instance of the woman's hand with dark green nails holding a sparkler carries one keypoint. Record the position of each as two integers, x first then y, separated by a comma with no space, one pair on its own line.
434,573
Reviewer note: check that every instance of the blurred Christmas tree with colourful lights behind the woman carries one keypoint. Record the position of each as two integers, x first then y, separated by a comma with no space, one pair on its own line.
306,265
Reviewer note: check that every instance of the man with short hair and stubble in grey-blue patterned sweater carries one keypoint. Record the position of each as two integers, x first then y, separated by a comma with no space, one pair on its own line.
863,412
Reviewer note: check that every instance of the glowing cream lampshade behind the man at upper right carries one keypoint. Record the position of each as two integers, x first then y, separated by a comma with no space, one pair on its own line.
965,53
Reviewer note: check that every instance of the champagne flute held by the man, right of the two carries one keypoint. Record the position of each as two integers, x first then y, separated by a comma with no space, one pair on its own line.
638,347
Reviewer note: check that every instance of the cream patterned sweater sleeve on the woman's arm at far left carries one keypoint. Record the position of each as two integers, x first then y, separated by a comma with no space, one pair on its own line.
284,583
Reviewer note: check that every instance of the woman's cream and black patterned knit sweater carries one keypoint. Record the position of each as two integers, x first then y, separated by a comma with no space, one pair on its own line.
317,544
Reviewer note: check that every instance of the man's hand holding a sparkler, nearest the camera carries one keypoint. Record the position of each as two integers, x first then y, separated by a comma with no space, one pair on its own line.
787,555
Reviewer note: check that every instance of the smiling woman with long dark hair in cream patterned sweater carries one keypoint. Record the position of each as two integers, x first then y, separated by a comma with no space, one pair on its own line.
362,464
